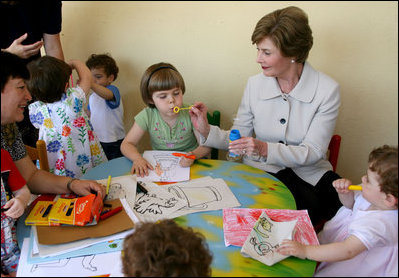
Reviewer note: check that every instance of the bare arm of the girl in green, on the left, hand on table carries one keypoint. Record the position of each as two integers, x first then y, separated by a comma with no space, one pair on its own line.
130,151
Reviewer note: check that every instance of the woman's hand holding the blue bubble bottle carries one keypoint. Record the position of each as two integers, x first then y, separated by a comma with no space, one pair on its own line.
249,146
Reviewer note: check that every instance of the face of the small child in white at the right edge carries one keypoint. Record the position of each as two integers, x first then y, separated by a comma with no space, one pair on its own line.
371,189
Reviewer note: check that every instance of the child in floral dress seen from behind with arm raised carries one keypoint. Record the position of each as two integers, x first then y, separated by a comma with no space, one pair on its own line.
72,145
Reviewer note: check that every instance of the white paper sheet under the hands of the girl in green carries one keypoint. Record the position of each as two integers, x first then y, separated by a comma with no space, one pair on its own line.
166,167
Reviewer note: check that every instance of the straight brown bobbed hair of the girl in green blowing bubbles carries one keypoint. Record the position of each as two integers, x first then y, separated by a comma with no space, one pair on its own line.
160,77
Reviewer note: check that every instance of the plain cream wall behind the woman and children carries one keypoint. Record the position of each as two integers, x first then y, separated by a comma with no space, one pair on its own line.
356,43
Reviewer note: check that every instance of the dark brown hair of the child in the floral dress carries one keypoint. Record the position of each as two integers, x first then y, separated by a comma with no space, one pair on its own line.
49,77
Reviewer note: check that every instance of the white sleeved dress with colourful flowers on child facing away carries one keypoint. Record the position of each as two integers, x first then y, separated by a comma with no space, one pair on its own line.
72,146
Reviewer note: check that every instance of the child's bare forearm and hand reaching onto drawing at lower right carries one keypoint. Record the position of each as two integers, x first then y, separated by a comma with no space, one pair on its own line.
332,252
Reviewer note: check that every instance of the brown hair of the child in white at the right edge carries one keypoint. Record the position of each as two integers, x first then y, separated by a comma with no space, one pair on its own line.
384,161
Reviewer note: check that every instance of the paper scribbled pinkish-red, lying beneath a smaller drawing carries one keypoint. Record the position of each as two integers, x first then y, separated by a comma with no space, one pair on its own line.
238,223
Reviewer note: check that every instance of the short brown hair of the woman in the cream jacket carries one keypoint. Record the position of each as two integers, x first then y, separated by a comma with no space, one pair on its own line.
289,30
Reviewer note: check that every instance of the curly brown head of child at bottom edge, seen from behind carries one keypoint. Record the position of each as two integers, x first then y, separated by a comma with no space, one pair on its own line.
164,249
